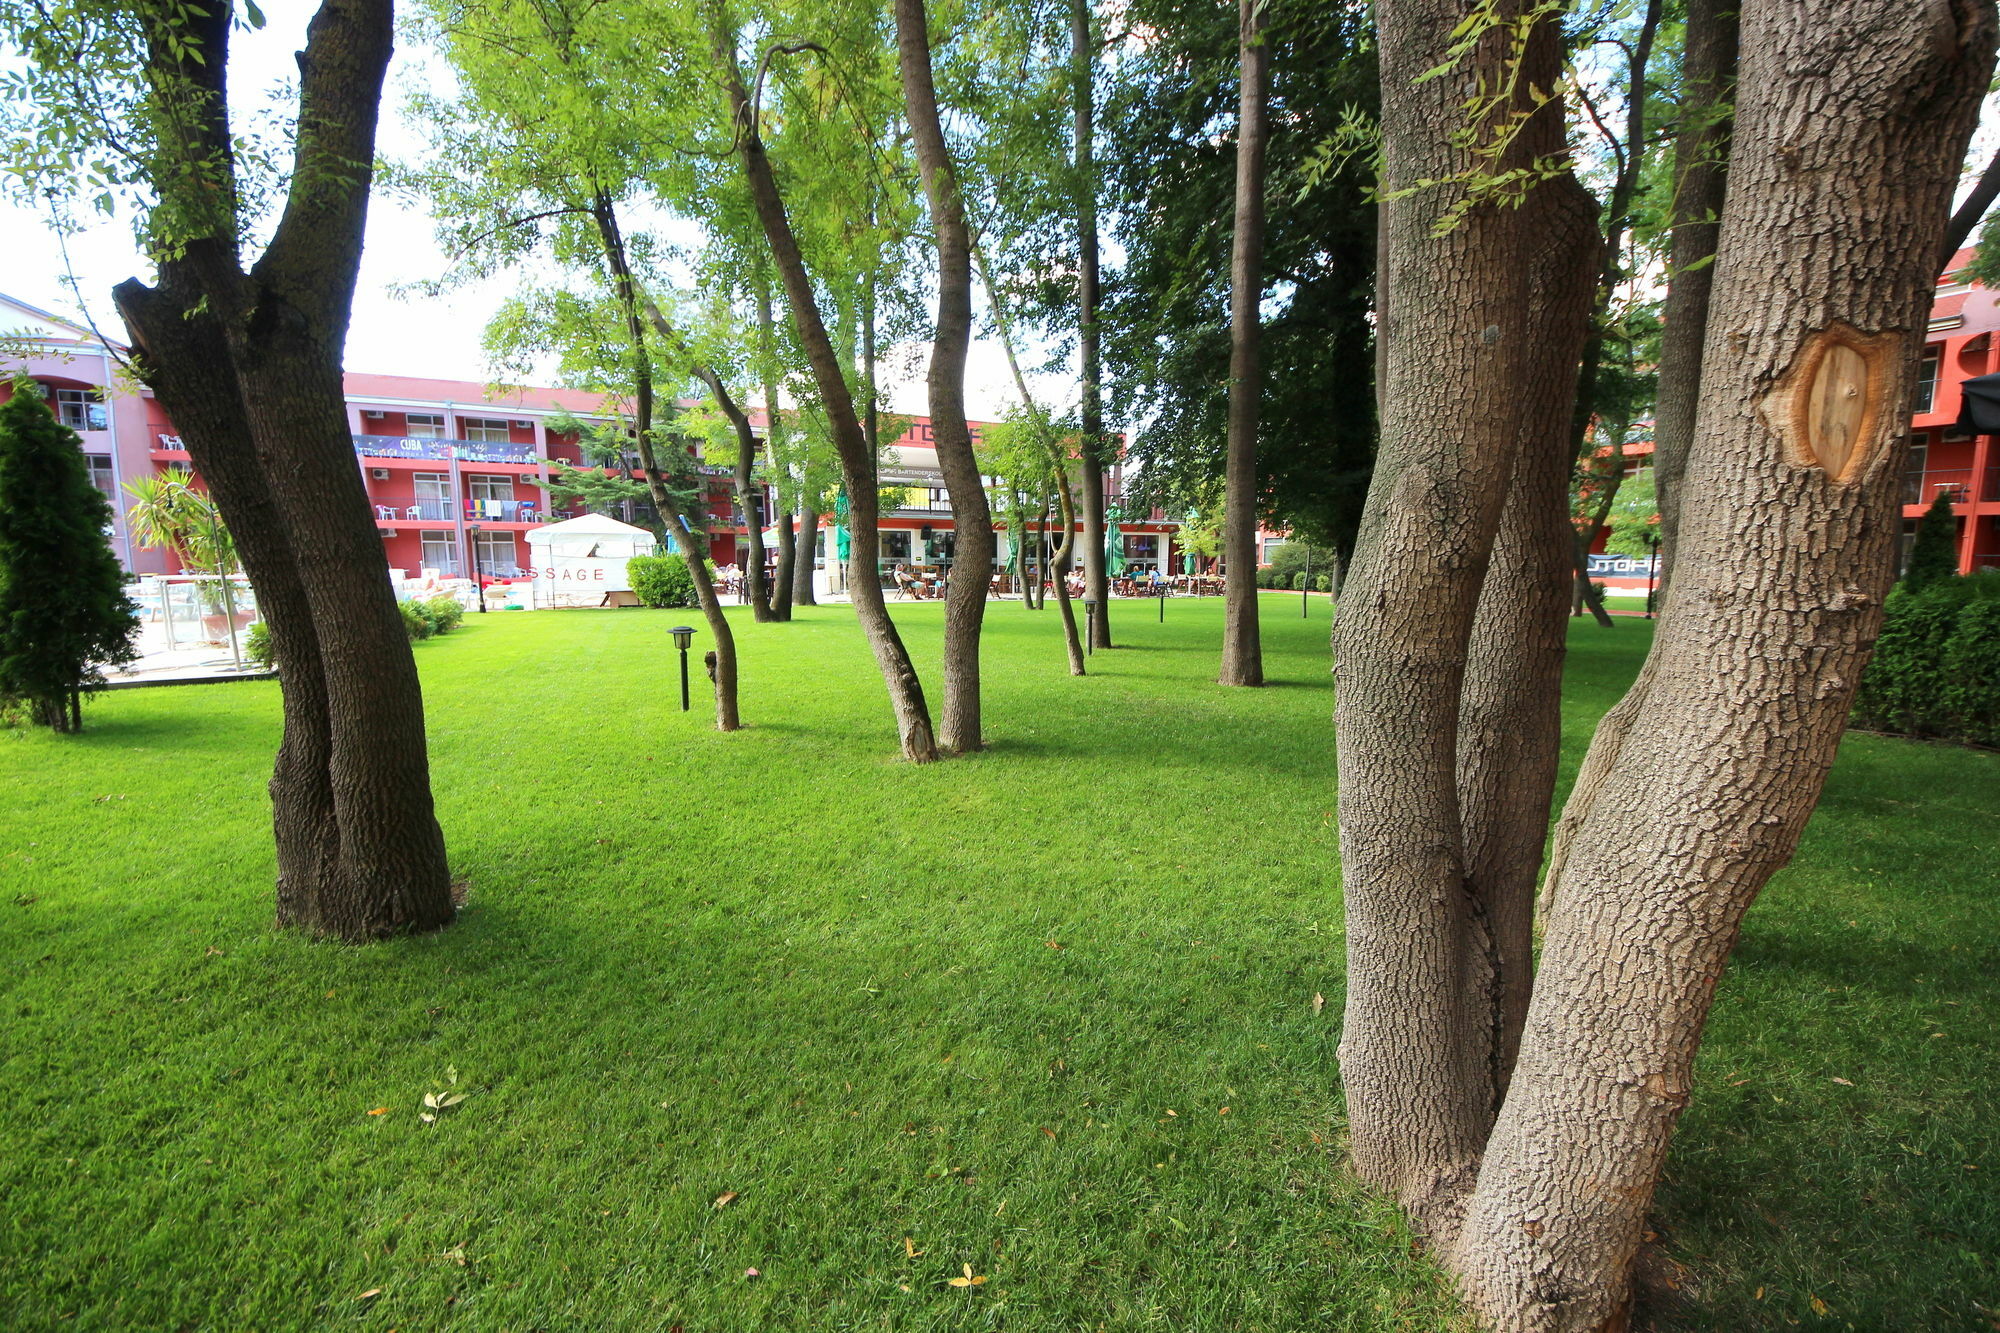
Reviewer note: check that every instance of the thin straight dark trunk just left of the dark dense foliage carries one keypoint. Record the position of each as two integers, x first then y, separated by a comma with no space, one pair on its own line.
1089,339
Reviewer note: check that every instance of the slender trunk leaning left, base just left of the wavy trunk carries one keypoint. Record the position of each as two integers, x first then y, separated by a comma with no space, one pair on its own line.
857,459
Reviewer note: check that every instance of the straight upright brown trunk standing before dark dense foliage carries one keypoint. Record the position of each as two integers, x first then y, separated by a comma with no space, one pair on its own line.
1243,651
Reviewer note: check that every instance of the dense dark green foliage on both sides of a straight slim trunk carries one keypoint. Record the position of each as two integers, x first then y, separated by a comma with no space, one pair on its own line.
1173,177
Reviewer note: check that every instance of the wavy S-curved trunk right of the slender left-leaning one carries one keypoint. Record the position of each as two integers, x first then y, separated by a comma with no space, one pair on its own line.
973,541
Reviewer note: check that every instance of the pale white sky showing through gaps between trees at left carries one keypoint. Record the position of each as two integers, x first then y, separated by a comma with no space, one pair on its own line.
435,337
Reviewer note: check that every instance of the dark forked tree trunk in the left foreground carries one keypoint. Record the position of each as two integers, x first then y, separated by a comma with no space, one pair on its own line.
361,850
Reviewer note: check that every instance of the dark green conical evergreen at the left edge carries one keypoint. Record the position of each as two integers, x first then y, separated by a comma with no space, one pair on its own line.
65,613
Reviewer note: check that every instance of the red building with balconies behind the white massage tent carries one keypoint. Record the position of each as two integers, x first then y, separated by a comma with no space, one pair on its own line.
457,473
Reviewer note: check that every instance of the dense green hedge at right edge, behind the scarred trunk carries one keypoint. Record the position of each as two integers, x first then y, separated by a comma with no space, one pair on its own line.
1937,665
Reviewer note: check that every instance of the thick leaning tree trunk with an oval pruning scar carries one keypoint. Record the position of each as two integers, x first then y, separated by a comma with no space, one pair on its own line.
1851,113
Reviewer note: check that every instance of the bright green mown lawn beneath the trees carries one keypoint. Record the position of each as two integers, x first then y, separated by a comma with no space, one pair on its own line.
979,1014
